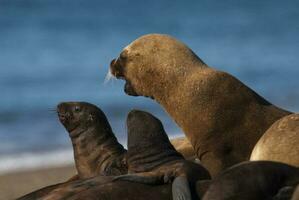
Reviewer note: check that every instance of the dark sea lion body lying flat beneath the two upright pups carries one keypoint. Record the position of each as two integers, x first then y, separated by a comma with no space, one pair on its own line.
104,188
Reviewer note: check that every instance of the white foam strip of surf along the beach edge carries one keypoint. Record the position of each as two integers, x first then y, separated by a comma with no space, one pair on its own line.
27,161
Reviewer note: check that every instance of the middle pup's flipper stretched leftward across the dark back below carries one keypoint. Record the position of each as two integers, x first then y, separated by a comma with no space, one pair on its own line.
146,178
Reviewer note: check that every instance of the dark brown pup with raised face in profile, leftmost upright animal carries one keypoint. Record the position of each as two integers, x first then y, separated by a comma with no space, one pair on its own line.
96,149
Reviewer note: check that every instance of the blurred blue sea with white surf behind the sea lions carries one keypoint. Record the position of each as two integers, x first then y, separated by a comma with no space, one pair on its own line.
59,50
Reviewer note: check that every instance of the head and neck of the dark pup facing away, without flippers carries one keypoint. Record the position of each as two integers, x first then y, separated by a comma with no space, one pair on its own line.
148,144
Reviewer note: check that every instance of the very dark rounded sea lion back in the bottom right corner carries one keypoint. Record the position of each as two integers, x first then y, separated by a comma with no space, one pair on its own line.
258,180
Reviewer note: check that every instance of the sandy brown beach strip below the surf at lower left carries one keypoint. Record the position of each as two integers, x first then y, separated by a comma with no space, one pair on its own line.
14,185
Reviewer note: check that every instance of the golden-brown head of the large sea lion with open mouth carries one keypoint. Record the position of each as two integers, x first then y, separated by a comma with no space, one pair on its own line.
153,63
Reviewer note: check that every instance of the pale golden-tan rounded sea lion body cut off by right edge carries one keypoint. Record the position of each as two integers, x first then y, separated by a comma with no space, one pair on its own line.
280,142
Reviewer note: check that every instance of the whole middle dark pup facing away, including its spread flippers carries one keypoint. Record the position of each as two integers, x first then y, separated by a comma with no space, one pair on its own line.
153,160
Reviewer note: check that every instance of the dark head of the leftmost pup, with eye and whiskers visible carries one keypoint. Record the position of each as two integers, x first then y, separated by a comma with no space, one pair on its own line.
79,116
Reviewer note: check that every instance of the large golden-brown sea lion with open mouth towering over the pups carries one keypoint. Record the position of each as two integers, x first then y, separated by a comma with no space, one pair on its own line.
222,118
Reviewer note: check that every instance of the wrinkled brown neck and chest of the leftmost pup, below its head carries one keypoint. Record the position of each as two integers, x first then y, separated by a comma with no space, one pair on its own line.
93,148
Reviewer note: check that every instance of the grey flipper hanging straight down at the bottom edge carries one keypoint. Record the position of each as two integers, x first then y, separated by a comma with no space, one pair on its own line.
180,189
